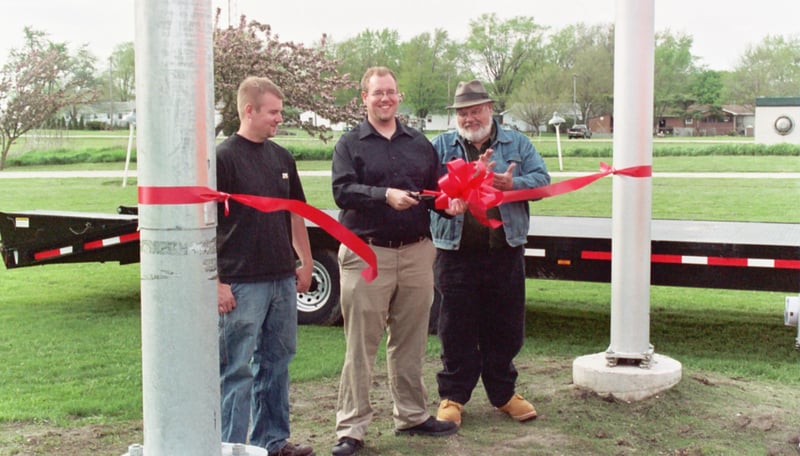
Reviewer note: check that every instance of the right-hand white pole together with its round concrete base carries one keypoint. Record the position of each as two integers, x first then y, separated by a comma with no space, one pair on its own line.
629,370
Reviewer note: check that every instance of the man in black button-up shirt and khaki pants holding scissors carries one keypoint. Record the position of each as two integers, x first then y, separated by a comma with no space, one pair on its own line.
379,169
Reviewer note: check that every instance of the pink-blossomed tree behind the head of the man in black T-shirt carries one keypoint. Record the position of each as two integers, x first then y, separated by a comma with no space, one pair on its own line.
307,76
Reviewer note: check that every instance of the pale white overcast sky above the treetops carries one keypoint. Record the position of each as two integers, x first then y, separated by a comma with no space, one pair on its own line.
722,29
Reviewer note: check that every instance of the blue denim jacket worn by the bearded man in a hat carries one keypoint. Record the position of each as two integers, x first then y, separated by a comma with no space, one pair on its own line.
530,171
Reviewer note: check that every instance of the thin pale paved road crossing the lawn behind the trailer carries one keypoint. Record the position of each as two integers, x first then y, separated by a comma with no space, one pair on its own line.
556,174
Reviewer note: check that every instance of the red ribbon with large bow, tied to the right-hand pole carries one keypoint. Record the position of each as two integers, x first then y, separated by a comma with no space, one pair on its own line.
471,182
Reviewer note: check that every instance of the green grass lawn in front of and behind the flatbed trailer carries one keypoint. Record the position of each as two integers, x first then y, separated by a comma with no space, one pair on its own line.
71,333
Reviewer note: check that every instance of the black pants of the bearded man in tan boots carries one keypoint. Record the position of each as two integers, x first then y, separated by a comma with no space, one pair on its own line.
482,321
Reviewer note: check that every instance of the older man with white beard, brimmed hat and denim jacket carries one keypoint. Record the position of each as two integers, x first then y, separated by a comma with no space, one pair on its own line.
480,271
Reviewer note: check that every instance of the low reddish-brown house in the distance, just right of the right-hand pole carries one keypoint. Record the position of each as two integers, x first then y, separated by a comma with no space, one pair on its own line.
707,121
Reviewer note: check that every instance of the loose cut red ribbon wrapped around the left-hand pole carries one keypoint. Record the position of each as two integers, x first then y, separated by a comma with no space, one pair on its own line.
191,195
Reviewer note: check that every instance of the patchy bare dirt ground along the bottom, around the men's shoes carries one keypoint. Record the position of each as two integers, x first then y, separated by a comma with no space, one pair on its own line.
704,414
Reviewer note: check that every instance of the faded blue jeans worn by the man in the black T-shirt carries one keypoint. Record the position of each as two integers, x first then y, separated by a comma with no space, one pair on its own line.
257,340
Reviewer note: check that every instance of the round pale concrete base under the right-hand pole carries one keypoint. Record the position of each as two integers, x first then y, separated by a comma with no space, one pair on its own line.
628,383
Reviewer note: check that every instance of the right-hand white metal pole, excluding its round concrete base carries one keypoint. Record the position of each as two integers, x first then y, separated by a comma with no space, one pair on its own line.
631,212
